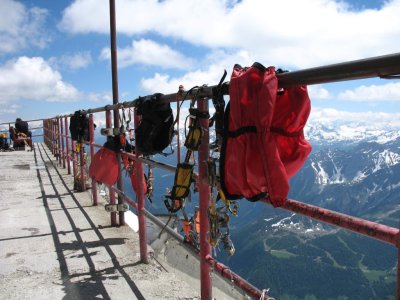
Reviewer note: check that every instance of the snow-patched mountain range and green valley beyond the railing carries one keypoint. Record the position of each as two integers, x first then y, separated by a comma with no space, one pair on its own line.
299,258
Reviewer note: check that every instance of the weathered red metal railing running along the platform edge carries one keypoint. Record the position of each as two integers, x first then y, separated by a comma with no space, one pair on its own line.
57,139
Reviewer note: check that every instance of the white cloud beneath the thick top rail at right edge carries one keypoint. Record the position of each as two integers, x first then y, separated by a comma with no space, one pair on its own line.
373,93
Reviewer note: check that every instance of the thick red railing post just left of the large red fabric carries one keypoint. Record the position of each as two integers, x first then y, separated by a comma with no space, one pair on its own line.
204,194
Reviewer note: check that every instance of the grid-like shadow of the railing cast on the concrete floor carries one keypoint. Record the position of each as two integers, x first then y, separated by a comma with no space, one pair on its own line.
88,285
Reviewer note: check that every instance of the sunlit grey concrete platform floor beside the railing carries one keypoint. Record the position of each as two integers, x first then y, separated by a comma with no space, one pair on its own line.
55,245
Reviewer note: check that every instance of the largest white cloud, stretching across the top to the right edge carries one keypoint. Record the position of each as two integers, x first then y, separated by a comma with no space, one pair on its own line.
283,33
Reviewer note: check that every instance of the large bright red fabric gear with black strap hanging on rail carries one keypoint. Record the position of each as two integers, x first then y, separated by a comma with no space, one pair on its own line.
264,144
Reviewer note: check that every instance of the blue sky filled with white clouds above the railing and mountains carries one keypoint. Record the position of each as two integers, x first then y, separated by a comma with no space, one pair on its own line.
54,55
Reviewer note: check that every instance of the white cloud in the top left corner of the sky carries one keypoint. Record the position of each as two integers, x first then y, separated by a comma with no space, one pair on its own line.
21,27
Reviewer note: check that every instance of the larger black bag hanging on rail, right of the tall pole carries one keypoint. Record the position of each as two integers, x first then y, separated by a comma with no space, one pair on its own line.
155,130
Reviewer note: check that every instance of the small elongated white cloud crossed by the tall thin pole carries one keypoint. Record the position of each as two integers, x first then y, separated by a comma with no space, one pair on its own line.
148,52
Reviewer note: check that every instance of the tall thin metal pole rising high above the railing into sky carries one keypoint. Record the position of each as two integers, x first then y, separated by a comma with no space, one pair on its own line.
114,68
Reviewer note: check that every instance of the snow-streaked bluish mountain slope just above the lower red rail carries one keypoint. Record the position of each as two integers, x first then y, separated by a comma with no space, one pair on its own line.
355,179
